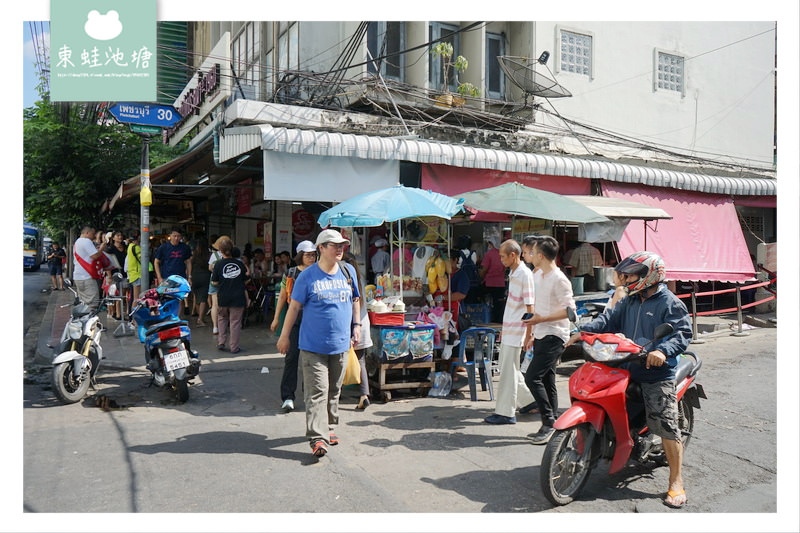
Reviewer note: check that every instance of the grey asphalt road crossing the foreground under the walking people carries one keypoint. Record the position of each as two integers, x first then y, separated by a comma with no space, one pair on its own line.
230,449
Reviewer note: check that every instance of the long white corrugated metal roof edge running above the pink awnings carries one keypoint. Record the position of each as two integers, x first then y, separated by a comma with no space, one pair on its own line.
237,141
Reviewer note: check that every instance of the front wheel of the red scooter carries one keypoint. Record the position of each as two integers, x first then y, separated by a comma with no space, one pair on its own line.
565,468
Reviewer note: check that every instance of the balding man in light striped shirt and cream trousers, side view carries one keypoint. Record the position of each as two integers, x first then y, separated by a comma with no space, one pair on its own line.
511,389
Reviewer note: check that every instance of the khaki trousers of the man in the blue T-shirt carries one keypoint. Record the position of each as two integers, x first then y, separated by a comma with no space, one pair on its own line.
322,384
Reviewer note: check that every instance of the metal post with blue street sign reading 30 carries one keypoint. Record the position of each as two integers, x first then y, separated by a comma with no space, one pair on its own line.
146,120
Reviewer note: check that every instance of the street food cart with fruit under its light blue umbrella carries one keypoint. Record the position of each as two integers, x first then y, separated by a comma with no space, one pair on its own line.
402,344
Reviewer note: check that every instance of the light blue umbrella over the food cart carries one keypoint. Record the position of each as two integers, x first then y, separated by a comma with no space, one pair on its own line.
389,205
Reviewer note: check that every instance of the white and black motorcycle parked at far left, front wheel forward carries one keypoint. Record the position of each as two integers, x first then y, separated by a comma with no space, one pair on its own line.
79,352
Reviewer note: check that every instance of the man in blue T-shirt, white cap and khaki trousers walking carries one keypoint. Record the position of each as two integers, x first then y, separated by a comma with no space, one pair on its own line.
330,301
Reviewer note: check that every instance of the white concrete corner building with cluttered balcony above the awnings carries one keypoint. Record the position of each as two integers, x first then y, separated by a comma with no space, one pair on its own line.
285,118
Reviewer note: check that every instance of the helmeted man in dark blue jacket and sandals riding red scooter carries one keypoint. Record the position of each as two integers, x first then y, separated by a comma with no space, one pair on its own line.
648,305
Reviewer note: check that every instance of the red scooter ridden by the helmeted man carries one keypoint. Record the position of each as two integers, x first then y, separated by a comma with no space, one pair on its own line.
606,419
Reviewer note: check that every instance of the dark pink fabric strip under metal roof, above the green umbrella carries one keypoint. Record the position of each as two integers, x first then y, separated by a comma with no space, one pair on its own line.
451,181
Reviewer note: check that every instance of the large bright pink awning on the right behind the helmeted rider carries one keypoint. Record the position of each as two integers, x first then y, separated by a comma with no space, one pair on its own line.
702,242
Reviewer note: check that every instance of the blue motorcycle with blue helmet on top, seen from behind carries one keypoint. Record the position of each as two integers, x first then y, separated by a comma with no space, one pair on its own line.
167,338
